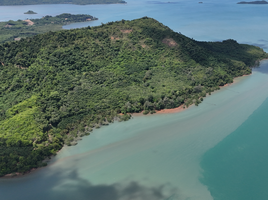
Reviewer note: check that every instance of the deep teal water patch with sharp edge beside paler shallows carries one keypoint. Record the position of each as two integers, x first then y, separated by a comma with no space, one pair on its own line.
236,168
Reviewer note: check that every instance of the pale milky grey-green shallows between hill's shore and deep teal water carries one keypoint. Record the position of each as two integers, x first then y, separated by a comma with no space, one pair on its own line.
177,138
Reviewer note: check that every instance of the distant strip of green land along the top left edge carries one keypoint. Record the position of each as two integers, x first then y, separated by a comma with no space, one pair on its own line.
81,2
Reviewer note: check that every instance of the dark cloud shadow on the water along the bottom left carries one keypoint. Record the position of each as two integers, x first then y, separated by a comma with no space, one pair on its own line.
71,186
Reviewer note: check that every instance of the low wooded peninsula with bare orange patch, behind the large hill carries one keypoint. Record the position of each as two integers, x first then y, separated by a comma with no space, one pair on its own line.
15,30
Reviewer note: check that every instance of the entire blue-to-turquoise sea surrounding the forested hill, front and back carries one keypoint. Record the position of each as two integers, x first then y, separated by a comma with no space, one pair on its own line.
213,151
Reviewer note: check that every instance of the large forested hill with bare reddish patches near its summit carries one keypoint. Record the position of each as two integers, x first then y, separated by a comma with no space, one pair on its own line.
58,86
